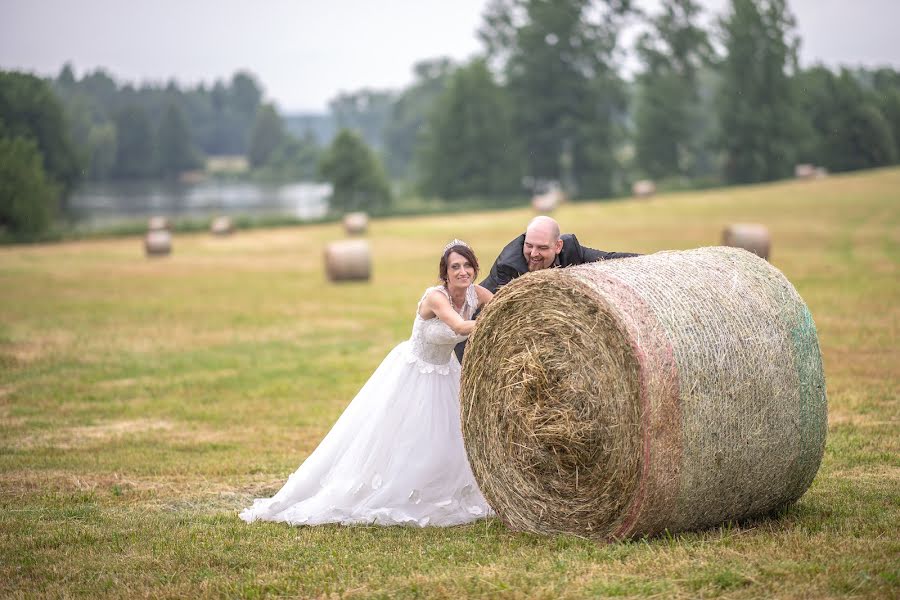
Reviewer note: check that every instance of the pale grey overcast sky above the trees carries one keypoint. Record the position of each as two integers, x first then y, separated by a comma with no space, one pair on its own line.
305,52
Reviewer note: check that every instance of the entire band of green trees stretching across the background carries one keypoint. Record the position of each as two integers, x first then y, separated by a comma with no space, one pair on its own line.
545,102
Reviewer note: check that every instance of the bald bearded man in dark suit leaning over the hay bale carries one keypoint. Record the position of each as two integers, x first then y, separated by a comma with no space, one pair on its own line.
540,247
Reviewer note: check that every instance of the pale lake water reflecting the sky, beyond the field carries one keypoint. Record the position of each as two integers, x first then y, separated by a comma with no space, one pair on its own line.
105,202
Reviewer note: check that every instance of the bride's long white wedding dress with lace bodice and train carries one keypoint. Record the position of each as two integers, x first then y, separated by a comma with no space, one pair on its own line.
395,456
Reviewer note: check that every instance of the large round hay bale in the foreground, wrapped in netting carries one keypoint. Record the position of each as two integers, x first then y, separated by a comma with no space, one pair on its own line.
673,391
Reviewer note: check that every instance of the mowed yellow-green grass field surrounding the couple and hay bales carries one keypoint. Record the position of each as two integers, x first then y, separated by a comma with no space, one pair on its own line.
144,402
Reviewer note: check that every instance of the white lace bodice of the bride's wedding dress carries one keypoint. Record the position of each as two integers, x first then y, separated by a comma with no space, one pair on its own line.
432,341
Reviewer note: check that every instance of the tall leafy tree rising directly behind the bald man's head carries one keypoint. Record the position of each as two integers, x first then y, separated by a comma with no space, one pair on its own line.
558,63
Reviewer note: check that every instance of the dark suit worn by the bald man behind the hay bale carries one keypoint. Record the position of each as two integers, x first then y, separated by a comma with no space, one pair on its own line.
511,264
